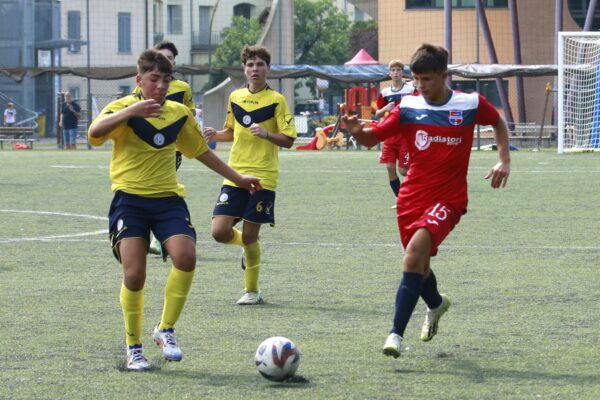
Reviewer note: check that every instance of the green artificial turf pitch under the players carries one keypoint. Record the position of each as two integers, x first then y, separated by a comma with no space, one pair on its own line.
521,270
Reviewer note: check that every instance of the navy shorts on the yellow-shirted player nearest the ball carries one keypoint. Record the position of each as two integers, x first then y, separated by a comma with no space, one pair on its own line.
135,216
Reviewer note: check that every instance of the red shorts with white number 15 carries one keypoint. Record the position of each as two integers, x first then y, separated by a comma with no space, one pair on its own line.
438,219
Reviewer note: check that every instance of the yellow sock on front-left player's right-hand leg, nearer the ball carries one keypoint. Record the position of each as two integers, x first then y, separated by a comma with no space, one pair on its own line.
176,290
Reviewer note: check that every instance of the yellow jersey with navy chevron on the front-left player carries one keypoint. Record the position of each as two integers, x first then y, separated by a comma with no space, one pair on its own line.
144,148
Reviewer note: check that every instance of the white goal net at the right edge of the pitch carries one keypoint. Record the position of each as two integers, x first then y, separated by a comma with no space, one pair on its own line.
578,91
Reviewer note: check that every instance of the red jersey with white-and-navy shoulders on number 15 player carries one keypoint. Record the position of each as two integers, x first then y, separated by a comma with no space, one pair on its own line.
439,140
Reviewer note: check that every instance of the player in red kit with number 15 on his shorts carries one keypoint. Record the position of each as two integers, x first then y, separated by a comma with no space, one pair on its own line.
438,125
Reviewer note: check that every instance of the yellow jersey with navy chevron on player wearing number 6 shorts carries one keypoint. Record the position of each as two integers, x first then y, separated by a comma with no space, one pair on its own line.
249,154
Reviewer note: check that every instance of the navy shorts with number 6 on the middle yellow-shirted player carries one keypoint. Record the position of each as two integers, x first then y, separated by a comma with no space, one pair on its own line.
258,208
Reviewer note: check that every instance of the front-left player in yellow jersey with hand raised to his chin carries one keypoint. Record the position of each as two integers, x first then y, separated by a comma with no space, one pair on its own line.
146,129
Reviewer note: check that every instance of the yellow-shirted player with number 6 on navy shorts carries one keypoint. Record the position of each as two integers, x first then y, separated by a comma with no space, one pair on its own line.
258,122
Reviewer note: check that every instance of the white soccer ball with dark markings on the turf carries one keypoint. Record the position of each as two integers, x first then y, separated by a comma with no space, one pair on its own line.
277,358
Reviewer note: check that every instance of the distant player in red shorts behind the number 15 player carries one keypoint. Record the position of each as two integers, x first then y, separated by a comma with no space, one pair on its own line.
394,149
